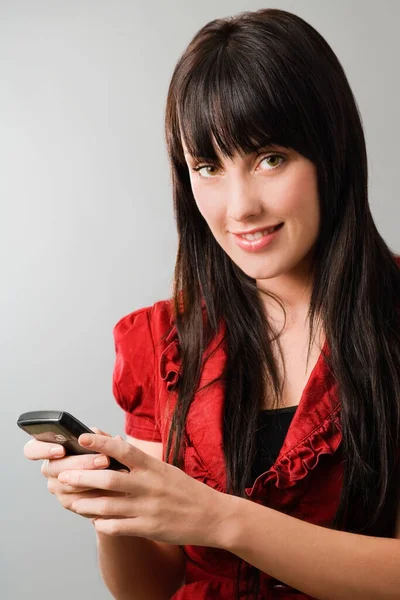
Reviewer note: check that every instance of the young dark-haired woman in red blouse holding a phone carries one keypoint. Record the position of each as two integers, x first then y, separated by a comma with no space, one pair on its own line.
262,400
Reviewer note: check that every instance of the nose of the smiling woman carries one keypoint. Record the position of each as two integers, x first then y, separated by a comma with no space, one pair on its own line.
243,200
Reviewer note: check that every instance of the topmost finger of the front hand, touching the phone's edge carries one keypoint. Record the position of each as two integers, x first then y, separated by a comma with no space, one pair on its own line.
123,451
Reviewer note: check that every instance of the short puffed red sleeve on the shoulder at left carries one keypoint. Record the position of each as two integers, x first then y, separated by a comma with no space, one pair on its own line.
134,374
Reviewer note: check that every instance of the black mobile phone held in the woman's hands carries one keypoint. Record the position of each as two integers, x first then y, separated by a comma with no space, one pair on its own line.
60,427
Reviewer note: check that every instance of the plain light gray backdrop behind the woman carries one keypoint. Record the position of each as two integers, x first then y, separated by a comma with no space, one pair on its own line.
87,231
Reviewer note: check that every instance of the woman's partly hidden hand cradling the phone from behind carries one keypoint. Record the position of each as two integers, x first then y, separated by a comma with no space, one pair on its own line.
53,465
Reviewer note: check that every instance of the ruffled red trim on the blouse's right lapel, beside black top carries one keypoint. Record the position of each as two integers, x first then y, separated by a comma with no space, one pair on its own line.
305,456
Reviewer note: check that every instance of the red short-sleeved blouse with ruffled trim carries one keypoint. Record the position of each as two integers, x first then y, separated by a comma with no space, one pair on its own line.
304,481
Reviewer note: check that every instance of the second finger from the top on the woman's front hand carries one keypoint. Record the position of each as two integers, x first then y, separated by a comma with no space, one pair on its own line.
102,480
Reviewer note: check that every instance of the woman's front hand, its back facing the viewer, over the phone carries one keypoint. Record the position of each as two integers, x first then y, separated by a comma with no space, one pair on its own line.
161,502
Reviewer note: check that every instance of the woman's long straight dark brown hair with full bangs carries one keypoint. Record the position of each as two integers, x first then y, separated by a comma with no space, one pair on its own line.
262,78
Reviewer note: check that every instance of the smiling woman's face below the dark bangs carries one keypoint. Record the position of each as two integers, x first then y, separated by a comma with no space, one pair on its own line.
261,190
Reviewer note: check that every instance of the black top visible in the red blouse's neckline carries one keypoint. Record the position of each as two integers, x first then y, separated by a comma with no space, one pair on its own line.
273,427
